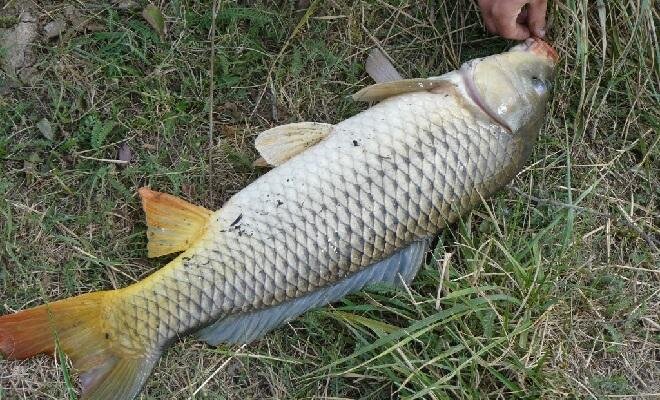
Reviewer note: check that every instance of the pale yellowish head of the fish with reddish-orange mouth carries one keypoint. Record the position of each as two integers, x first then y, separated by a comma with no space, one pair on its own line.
513,87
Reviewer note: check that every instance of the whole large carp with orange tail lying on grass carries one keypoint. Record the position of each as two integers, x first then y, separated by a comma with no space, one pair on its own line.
345,206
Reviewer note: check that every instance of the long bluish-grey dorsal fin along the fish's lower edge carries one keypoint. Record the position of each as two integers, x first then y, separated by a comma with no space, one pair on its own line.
244,328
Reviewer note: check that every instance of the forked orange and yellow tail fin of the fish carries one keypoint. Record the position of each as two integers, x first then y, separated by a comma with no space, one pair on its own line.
77,326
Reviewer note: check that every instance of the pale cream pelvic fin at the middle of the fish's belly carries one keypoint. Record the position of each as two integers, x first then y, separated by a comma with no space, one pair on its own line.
279,144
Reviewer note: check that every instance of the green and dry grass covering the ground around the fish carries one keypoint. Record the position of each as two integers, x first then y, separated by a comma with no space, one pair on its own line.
551,289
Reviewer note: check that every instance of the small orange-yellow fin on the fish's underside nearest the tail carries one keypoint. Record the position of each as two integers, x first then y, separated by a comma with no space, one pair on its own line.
173,224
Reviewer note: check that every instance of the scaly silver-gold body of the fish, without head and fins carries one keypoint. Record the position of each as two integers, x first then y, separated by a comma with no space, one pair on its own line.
327,213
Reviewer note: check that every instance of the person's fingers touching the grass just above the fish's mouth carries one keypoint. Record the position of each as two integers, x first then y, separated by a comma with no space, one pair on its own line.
508,19
